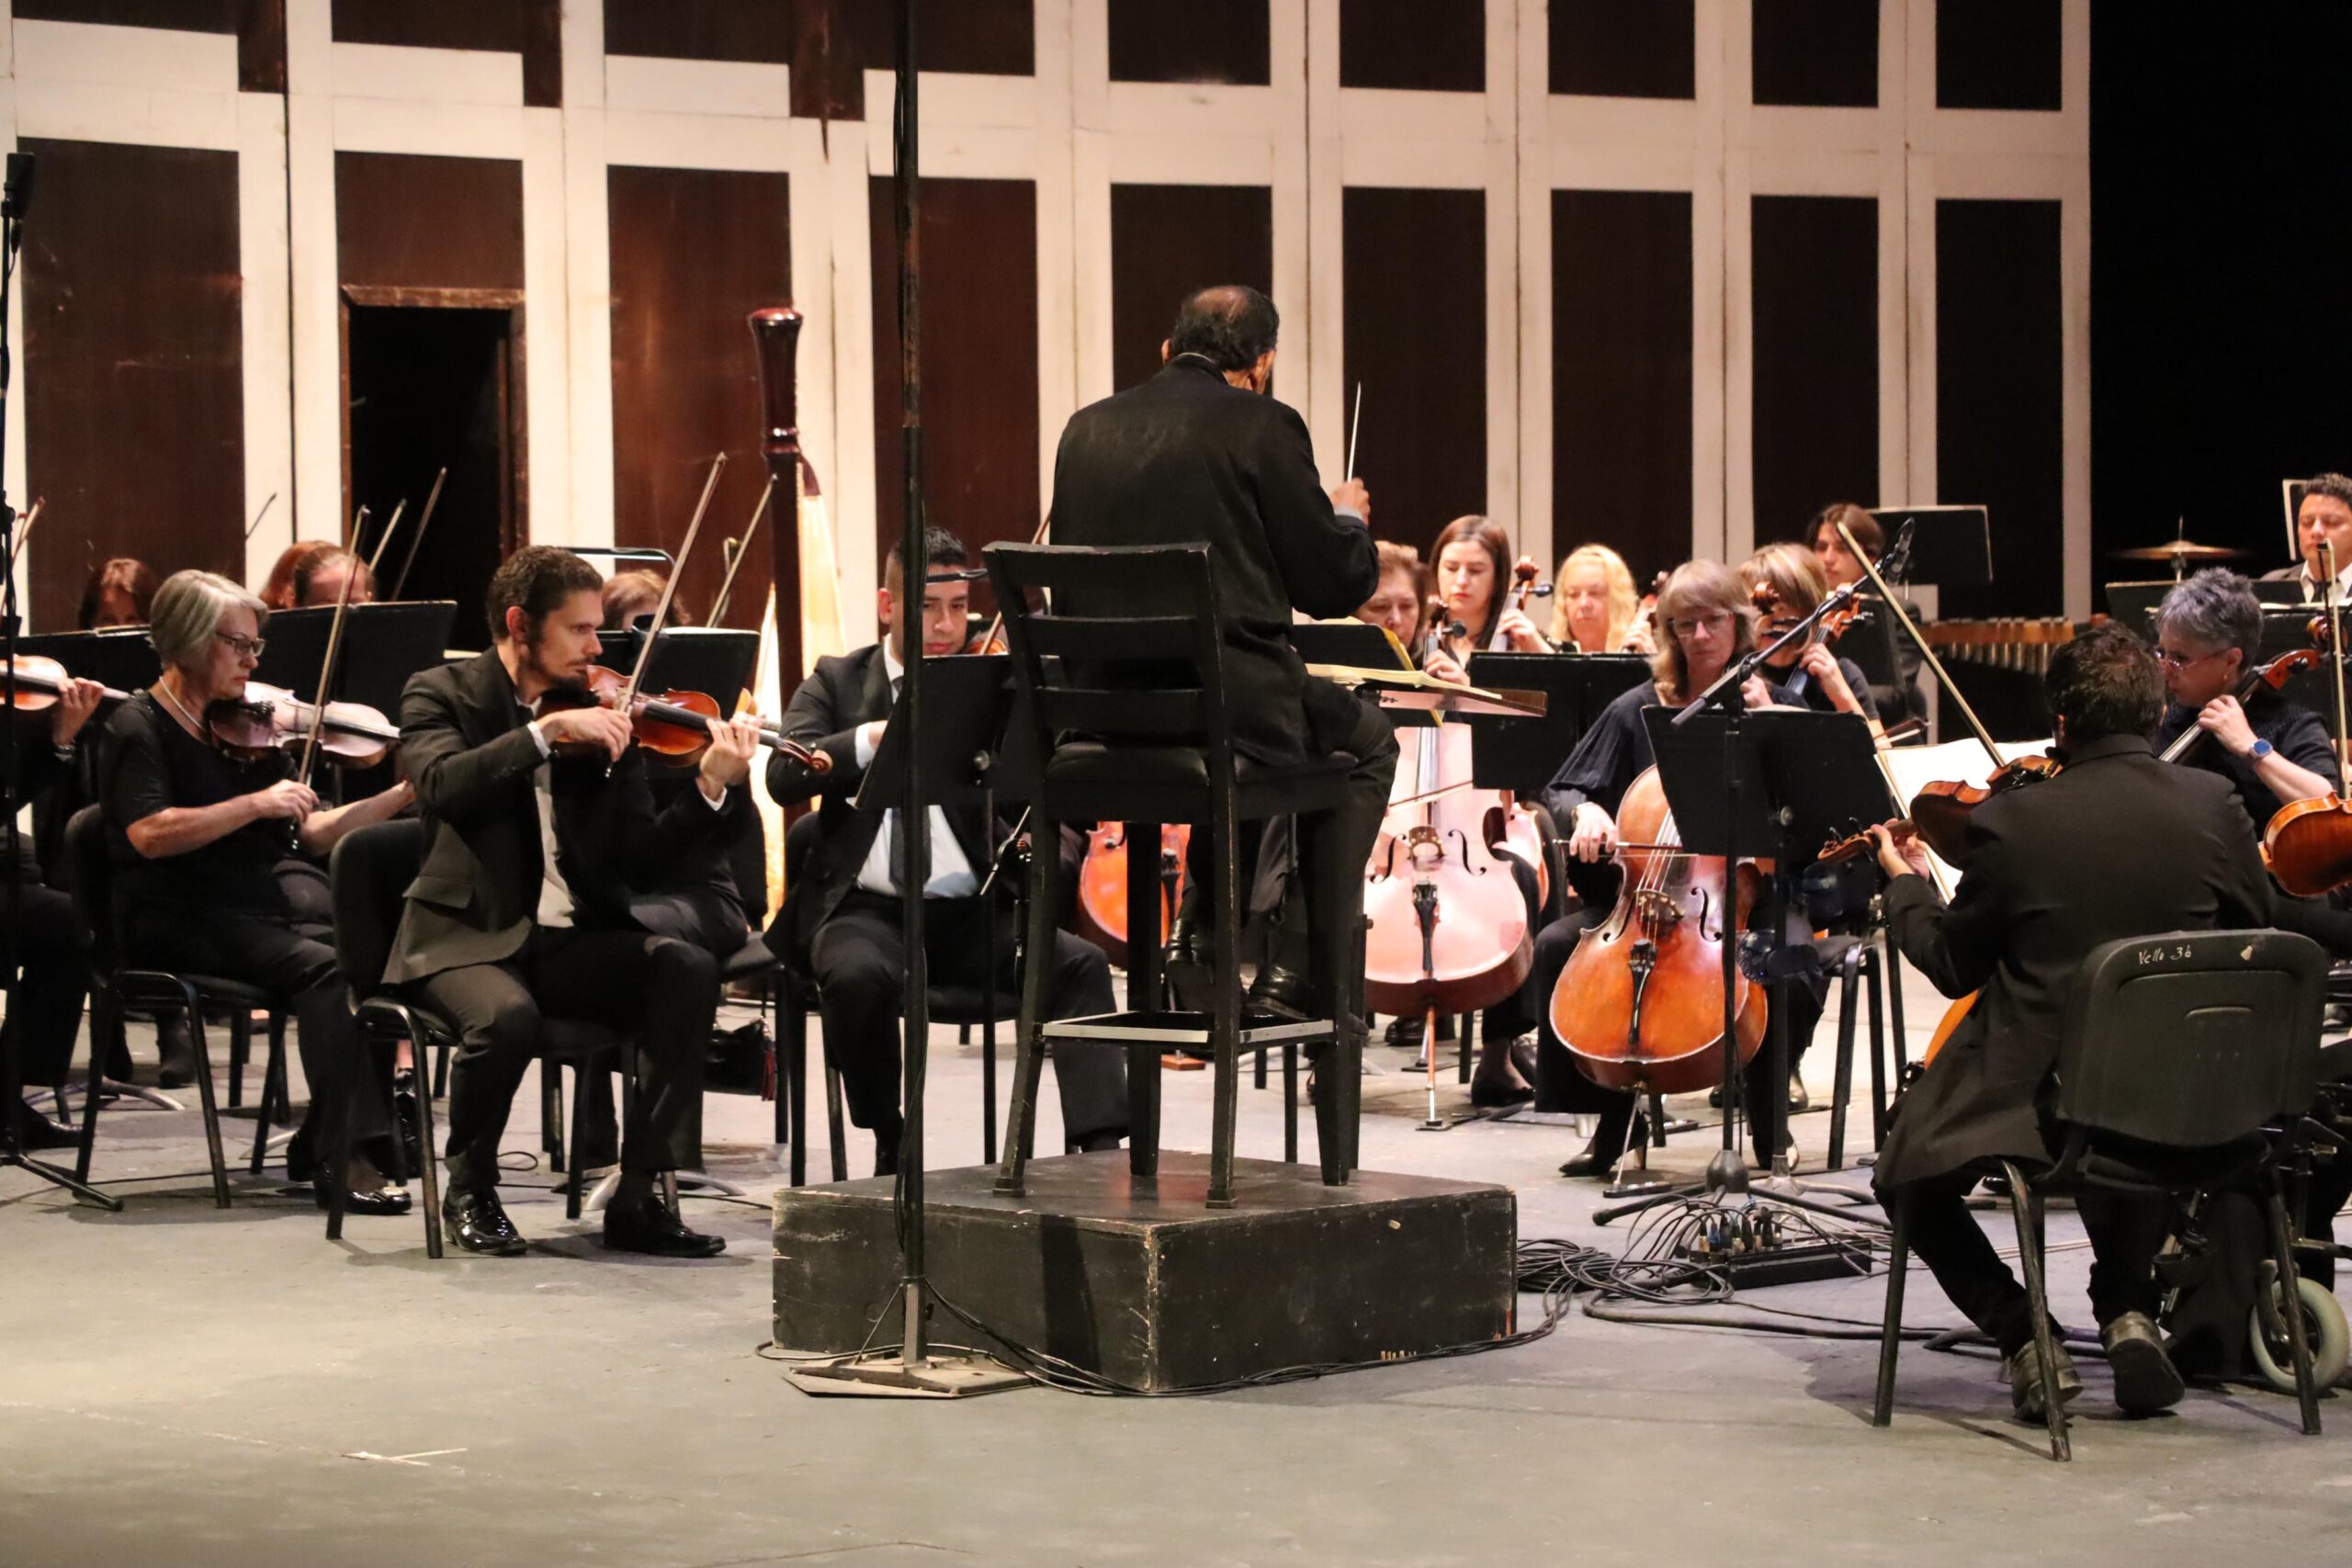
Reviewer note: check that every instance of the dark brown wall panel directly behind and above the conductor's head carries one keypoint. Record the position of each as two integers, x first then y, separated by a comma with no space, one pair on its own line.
1168,241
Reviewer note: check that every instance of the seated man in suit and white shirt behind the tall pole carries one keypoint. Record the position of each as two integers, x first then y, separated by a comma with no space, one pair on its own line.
843,906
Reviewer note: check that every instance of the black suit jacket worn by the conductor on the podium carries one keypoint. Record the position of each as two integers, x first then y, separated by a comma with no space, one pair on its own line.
1191,460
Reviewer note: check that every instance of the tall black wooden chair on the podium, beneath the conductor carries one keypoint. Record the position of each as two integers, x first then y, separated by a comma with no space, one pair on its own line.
1132,725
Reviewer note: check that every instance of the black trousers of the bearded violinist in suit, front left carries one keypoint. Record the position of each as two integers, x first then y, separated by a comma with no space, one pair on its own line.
655,989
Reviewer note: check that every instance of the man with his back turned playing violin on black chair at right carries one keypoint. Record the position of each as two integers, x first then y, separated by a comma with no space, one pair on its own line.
2054,871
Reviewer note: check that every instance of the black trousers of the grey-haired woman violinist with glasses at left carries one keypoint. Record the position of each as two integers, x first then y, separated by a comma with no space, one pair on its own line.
290,958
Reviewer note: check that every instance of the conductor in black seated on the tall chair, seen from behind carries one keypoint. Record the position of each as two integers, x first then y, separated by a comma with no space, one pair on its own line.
1205,455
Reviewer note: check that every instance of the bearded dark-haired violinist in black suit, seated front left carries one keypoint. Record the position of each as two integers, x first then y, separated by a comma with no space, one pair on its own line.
540,831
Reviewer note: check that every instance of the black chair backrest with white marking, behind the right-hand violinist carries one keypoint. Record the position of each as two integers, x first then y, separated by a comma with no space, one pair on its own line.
2193,1038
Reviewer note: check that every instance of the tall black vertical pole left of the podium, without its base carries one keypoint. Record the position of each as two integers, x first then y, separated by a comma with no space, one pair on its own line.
914,817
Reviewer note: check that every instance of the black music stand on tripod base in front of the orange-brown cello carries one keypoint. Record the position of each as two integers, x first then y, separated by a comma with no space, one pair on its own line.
1739,784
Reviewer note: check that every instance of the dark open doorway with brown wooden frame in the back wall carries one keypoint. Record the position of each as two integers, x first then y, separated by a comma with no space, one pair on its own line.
434,377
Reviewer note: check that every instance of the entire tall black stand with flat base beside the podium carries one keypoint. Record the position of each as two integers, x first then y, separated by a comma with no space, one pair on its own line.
916,1369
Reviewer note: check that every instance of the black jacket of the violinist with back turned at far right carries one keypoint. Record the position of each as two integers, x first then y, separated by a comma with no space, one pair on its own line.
2113,847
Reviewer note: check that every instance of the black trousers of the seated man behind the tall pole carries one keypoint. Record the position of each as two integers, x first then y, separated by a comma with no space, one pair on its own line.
860,967
